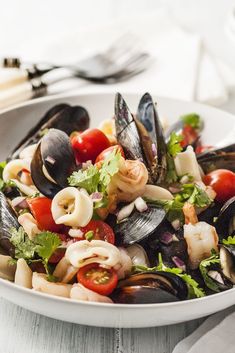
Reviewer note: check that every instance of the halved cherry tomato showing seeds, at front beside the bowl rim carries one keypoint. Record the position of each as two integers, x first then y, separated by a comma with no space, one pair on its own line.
99,279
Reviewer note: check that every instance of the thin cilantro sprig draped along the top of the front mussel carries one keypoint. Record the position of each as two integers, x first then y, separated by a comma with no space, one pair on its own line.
193,285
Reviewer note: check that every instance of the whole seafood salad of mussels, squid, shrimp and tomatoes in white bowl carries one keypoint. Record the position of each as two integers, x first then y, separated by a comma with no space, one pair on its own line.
125,213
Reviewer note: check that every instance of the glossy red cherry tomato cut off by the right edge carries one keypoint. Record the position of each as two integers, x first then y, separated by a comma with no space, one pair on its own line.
223,182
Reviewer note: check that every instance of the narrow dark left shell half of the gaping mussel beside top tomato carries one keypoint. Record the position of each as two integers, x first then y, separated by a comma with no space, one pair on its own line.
43,184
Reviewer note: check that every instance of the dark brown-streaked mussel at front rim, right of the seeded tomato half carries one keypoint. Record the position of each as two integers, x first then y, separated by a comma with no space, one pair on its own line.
150,287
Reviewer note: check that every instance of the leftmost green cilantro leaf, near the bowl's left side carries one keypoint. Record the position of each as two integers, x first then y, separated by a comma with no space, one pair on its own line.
24,247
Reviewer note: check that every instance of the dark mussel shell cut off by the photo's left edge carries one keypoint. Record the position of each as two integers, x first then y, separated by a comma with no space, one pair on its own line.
8,220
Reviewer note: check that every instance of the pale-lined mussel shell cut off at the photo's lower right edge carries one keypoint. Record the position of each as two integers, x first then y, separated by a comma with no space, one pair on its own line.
227,261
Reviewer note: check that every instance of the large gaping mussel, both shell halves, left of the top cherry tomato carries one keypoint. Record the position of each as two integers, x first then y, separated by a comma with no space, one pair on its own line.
54,156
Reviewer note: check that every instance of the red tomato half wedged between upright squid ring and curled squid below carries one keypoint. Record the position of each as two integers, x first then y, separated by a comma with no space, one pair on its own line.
102,231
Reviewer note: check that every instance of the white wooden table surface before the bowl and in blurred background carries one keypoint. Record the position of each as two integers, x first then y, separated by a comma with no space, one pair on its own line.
20,330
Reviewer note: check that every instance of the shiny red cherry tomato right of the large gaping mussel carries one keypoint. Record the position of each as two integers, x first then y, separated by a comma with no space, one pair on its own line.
89,144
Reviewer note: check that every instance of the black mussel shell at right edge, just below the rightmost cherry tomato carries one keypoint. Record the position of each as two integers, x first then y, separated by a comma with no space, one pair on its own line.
225,219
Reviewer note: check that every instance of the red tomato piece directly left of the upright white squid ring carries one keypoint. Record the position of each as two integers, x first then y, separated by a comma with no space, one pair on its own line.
41,210
